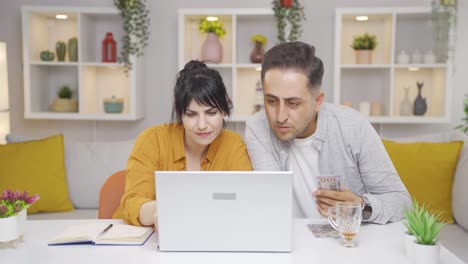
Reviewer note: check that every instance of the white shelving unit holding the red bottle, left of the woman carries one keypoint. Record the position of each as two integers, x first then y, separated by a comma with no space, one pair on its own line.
90,79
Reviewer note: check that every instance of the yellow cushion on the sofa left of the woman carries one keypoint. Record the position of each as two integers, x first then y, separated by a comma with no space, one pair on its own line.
37,166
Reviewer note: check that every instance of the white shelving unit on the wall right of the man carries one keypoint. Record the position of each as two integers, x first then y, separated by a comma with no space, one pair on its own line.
396,29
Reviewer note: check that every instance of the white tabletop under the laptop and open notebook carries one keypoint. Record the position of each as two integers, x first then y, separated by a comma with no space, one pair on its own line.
377,244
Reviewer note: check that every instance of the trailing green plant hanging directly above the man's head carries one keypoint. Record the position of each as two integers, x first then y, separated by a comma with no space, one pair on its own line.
289,15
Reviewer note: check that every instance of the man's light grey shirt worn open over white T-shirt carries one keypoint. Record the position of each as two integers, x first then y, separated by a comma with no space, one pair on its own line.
348,145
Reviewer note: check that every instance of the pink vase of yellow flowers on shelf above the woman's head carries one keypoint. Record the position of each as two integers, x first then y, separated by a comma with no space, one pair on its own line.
212,50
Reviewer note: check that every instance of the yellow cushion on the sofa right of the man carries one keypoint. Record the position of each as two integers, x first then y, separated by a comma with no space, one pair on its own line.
427,170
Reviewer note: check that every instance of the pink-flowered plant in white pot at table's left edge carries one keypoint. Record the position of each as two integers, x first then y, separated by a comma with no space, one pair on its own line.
13,207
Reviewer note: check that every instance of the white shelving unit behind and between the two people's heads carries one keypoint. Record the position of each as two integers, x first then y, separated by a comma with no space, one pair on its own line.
239,75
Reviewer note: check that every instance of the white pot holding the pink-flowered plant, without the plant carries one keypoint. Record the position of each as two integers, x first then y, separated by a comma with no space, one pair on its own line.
11,228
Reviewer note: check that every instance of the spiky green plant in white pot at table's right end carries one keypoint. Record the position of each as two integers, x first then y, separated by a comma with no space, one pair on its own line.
425,227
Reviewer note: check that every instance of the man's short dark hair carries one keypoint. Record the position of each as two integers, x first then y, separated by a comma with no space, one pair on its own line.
295,55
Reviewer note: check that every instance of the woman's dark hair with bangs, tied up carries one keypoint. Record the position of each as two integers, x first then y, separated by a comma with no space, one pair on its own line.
202,84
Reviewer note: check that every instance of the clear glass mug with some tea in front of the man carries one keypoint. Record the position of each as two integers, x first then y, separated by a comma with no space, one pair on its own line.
346,218
